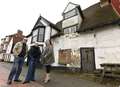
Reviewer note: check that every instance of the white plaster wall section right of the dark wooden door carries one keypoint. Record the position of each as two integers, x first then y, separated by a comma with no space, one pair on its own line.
107,47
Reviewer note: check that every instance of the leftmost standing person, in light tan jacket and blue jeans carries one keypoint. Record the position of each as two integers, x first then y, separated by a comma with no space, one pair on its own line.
19,51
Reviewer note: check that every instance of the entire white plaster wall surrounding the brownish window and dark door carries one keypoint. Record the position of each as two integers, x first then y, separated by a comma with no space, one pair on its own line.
105,41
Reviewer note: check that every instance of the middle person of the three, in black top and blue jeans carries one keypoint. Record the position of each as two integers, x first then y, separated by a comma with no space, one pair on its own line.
34,57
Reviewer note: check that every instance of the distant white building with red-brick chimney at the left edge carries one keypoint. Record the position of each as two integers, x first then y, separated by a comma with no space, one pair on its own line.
8,43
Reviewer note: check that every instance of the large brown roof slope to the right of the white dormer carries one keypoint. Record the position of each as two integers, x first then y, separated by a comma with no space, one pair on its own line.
97,16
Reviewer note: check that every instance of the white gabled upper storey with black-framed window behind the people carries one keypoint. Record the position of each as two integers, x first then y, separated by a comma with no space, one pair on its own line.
42,30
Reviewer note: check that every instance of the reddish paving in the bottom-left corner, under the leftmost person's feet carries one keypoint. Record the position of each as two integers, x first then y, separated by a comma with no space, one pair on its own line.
4,72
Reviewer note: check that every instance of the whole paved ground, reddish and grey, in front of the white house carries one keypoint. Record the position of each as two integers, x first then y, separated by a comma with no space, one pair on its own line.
58,79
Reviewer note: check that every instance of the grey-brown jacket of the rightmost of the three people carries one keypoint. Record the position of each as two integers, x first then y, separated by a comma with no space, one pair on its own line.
48,56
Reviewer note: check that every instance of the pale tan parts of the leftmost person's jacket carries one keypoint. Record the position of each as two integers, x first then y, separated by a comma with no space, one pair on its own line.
18,48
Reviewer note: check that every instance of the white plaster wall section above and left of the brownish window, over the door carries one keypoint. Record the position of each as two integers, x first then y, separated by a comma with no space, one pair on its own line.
73,41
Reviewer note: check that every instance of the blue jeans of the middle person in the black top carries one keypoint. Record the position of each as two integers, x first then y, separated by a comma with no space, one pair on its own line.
31,70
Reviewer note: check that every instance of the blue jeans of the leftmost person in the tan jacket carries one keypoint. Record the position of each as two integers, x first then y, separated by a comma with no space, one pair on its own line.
16,68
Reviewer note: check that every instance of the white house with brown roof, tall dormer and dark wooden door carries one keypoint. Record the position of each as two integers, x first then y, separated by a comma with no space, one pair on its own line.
89,37
